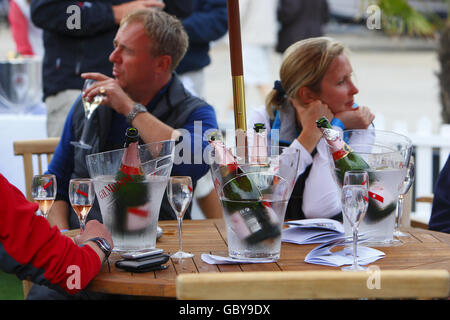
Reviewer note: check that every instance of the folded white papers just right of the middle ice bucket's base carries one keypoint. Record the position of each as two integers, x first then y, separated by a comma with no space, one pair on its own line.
308,231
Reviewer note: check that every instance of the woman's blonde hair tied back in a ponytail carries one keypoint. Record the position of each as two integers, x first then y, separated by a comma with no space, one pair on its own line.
304,65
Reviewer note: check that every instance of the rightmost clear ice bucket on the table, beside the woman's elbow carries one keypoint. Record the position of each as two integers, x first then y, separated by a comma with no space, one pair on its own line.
387,154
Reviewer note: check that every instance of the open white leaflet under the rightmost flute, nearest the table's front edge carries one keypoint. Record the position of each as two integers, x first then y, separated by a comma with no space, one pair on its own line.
322,255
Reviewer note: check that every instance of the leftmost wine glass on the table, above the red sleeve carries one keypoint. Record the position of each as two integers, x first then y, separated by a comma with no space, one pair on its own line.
43,191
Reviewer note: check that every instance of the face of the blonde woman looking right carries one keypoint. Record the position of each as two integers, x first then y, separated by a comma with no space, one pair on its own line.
337,87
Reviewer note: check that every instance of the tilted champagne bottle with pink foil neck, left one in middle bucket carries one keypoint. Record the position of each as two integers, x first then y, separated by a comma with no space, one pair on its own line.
252,219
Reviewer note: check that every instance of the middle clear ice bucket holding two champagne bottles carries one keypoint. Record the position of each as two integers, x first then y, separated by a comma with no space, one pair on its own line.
254,225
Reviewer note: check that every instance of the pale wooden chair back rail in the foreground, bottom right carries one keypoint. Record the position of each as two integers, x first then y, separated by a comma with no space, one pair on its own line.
285,285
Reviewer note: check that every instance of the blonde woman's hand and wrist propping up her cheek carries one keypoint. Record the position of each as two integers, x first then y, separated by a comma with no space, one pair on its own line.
306,117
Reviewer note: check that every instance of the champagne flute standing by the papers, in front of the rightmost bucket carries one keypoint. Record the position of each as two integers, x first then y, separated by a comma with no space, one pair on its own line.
355,201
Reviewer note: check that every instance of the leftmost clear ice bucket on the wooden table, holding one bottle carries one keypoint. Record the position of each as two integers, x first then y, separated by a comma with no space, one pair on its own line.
133,228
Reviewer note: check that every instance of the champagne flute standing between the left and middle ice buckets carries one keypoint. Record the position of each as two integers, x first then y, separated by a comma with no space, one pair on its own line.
179,193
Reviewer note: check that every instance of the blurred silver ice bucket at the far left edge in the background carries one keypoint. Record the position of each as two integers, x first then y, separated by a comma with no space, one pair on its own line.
20,83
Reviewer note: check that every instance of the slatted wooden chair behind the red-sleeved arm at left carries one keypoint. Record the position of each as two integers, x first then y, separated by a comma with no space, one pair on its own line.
26,149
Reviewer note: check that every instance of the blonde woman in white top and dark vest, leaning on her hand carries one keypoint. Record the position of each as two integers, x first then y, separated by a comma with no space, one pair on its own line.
315,80
